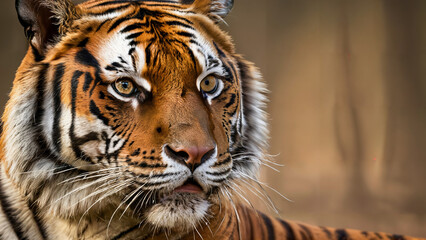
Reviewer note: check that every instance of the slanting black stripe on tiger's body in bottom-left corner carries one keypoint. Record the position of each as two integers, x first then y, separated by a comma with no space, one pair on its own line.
11,214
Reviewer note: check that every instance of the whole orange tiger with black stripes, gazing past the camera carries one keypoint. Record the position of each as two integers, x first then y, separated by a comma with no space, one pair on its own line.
136,119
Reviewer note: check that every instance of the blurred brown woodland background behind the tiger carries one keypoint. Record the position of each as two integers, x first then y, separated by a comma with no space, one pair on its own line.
348,105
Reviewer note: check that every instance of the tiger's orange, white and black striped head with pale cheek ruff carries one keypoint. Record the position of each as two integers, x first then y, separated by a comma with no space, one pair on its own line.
144,103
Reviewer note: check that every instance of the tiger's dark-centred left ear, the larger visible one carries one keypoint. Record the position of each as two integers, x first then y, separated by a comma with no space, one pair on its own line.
44,21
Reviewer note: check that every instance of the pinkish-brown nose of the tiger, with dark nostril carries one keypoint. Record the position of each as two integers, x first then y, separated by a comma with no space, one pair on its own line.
192,156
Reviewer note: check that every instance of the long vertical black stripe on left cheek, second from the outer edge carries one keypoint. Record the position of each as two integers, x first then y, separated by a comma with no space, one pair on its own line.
57,103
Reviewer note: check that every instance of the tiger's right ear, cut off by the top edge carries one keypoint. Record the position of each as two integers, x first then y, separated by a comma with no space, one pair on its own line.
213,8
